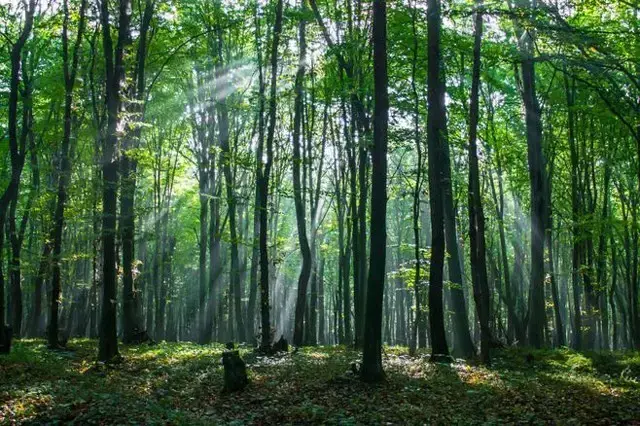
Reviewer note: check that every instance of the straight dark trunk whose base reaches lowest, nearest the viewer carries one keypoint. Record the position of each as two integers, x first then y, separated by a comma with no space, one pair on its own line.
372,345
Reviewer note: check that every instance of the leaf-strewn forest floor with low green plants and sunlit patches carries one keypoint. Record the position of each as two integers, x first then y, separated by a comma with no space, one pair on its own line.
180,383
